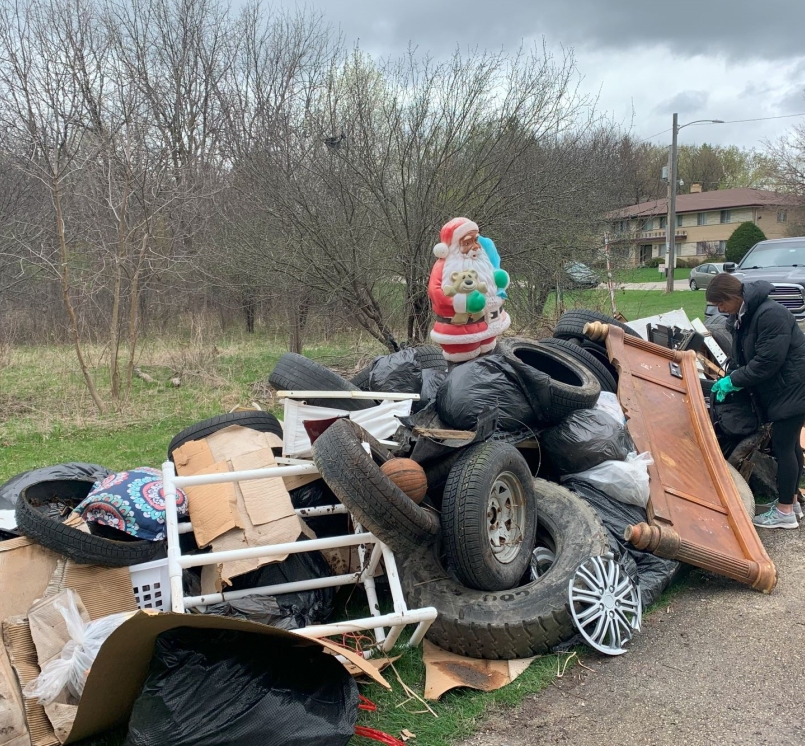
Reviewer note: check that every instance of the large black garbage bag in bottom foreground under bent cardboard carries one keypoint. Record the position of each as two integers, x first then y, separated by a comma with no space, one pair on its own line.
232,688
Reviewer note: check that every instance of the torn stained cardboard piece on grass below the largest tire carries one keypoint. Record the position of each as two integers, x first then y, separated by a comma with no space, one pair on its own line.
445,671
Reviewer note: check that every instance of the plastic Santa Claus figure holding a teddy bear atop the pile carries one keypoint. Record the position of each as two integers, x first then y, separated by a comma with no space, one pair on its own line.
466,290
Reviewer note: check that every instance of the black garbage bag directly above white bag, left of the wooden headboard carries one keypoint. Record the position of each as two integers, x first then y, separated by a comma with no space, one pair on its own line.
584,439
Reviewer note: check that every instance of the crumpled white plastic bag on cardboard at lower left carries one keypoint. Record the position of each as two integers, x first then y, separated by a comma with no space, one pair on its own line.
71,669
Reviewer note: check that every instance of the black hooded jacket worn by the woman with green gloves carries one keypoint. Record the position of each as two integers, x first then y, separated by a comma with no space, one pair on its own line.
769,349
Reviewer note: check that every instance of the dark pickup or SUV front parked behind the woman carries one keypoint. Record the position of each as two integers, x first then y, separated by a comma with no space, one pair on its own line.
780,261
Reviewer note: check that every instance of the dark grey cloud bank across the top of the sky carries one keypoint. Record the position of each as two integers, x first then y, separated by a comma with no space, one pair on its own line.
737,29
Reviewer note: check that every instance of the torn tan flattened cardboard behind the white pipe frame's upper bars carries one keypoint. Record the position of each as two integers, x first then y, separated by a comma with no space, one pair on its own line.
236,515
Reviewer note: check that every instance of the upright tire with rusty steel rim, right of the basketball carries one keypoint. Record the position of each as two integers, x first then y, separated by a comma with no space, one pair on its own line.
487,474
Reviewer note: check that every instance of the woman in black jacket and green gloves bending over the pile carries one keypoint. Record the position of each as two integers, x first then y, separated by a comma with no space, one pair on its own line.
768,349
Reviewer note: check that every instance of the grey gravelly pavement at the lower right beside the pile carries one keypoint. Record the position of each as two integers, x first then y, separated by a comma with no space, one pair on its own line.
711,669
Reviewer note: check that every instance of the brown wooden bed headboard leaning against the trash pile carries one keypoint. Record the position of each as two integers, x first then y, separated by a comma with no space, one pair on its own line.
695,512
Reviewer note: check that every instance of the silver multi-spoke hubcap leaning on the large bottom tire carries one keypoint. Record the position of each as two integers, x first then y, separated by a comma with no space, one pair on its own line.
605,604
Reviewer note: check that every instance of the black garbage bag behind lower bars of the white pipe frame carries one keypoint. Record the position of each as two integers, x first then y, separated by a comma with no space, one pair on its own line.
288,610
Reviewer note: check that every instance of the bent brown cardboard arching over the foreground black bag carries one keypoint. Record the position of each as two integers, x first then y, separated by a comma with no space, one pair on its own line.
121,667
